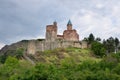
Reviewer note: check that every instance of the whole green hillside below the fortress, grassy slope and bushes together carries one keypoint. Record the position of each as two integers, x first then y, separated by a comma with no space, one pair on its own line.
61,64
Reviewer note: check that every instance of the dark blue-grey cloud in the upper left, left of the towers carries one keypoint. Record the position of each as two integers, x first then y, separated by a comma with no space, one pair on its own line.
27,18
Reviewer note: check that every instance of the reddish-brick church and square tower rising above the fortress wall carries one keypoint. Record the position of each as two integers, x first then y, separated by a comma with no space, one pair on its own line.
68,35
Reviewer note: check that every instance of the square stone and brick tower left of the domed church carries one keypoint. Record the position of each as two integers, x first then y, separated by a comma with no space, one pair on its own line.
51,32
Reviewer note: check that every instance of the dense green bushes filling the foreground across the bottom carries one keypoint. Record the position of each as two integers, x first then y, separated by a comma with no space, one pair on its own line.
68,68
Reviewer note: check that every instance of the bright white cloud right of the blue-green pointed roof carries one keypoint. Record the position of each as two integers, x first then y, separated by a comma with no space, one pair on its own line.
93,22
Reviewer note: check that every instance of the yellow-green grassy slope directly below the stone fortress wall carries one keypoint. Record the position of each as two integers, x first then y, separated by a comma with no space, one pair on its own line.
60,54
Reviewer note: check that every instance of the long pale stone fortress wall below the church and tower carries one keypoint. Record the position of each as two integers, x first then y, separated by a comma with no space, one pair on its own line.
34,45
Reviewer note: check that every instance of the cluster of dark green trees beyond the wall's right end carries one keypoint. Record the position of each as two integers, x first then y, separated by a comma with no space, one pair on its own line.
105,47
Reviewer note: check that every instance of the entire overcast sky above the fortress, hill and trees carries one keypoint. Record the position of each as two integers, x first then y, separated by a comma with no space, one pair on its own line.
27,19
